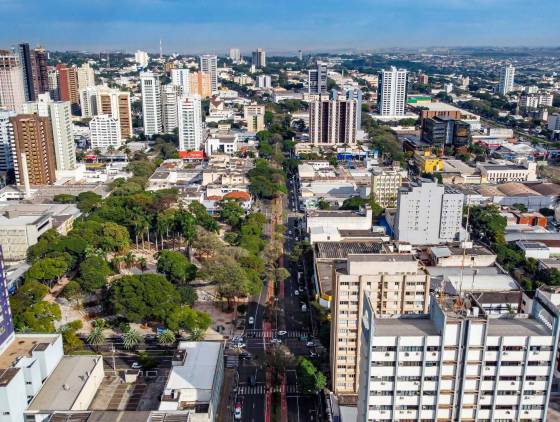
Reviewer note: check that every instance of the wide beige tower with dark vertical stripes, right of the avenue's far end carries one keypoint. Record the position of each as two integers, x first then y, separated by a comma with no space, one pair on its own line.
332,121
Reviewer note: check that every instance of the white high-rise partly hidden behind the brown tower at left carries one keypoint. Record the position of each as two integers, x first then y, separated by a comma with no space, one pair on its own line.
59,114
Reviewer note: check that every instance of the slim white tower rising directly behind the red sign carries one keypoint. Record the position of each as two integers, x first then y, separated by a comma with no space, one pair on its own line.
190,123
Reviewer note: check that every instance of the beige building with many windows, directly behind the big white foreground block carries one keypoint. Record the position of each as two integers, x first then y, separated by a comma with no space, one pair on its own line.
394,283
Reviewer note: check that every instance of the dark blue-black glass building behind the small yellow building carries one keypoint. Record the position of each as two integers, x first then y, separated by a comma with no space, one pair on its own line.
443,131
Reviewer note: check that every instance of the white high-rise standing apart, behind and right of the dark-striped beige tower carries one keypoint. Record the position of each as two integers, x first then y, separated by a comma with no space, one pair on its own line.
391,92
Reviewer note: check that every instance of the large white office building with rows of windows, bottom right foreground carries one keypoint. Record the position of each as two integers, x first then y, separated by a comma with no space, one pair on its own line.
458,363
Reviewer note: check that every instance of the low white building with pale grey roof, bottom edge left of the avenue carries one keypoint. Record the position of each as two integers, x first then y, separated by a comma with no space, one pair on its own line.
195,380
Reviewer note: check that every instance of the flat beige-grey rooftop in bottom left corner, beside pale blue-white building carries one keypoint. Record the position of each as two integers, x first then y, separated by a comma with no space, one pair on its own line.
63,386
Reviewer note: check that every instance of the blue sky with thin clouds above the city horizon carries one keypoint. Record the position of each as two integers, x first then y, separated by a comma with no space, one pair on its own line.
278,25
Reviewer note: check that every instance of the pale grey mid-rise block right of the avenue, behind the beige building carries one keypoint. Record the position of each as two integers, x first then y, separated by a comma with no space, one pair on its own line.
428,213
